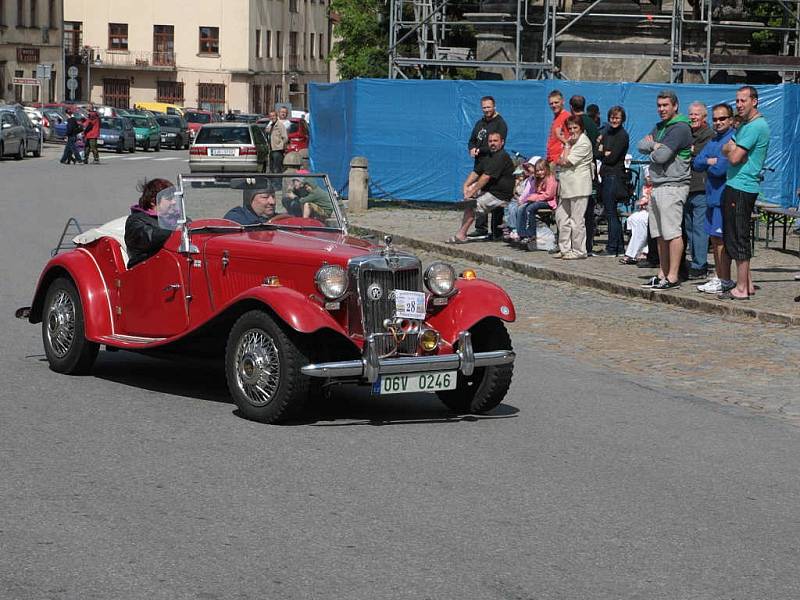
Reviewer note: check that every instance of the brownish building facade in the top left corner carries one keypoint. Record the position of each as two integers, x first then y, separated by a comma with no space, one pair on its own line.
30,35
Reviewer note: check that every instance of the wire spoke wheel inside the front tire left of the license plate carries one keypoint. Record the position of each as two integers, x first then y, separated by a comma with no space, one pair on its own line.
258,368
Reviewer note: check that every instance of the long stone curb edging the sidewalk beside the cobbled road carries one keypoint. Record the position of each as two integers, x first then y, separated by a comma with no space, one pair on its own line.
699,303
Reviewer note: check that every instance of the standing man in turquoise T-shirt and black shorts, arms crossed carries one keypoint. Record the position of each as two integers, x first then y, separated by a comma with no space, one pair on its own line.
746,152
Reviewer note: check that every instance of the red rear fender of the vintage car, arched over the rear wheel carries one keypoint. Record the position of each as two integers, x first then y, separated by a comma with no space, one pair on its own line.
85,273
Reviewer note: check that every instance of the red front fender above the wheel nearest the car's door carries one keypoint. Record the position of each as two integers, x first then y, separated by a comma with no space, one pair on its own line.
292,307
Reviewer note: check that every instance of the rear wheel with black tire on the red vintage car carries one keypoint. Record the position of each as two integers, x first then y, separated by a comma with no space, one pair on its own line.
63,332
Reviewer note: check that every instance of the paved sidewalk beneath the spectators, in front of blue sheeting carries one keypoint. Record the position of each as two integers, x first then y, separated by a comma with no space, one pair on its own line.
427,229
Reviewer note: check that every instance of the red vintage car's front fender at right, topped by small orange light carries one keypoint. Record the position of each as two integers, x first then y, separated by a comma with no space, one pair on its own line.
476,300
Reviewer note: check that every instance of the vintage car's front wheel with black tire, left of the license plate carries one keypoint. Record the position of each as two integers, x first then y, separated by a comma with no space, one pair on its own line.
261,394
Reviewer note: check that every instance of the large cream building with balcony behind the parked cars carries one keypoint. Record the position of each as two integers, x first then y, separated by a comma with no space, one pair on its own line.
241,55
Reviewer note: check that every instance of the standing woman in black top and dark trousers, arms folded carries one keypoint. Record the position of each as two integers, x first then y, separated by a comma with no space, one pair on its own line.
612,147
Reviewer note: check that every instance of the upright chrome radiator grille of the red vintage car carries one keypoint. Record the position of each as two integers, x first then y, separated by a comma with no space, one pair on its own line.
375,312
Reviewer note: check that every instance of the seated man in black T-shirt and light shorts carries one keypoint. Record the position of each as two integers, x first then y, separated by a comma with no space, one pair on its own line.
490,185
